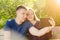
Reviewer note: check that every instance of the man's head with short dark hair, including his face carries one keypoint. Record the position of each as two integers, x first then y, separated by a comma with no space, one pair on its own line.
21,12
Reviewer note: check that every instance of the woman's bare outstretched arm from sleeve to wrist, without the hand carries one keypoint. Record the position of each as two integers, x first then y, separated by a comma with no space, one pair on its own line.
39,33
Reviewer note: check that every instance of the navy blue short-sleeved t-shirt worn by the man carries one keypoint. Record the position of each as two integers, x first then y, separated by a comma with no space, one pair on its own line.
21,29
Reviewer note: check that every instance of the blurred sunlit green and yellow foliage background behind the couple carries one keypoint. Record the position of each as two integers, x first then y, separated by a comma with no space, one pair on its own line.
42,8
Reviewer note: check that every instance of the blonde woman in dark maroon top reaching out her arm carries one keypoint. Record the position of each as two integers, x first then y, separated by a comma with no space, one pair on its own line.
35,31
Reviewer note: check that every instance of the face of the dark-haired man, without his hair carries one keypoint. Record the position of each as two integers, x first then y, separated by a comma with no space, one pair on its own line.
21,14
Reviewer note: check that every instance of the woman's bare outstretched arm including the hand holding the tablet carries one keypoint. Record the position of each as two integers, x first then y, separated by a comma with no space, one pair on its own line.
34,31
